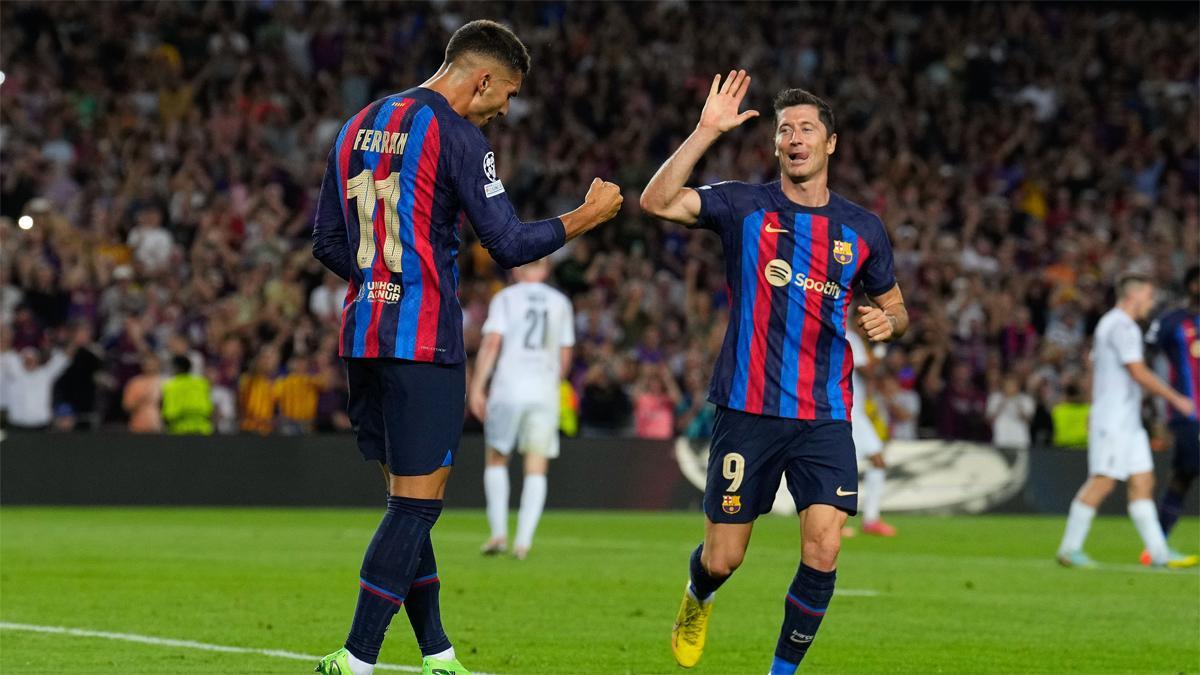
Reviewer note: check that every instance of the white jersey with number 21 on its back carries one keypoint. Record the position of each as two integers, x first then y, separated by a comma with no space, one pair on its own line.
536,322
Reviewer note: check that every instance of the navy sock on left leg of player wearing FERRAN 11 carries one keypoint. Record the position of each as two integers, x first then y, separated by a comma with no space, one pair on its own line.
389,569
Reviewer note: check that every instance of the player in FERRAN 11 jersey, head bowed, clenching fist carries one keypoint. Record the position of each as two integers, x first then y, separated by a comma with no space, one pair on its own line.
401,174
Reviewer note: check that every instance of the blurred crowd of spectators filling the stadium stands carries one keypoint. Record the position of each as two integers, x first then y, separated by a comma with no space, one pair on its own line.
1022,157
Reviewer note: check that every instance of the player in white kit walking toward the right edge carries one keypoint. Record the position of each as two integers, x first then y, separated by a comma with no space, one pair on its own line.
1118,444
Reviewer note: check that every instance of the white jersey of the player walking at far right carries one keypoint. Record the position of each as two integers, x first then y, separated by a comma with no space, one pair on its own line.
1117,398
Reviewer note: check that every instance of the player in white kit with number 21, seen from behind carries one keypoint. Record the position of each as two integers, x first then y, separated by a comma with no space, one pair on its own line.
527,338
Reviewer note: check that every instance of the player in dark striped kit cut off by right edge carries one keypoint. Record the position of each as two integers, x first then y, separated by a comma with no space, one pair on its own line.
1178,337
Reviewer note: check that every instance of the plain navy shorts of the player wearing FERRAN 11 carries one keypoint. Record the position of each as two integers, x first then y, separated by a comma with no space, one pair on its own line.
407,415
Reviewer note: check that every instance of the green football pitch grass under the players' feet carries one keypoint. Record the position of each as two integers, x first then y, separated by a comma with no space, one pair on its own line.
598,595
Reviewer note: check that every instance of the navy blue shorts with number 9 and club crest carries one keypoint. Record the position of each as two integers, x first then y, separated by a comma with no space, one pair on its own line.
751,453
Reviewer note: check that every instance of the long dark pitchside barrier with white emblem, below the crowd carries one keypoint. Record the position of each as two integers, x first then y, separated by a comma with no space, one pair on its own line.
623,474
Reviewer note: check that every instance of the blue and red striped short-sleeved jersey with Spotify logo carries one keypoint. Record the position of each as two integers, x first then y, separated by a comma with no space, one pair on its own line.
791,272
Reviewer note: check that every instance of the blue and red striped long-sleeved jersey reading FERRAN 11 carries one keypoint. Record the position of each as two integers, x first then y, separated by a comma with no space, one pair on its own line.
400,177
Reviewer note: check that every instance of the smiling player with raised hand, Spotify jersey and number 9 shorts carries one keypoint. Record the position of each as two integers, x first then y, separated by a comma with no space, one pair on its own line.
795,252
